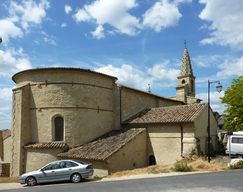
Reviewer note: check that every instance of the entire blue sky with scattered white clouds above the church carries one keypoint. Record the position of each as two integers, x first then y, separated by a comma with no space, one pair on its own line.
139,41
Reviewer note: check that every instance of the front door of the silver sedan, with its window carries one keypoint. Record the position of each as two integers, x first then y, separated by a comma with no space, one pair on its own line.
48,173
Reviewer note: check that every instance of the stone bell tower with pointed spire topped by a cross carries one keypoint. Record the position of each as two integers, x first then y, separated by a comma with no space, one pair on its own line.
186,80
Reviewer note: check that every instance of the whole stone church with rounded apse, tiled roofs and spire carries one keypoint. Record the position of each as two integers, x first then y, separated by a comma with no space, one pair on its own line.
73,113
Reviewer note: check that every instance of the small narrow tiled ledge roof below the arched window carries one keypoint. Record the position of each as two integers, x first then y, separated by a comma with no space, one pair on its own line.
46,145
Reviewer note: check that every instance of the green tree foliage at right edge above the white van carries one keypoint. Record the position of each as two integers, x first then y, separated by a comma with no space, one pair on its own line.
233,100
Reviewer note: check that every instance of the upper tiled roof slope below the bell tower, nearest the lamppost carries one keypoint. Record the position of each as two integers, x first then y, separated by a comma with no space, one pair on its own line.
172,114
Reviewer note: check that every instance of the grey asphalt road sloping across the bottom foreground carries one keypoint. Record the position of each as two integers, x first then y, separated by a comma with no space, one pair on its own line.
210,182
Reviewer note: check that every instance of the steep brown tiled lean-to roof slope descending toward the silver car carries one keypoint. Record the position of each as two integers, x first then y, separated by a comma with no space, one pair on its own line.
105,146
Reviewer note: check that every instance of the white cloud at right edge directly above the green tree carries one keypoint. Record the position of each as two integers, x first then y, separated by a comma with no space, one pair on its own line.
230,67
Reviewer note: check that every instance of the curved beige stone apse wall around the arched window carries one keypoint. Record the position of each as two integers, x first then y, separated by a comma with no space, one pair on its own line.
84,99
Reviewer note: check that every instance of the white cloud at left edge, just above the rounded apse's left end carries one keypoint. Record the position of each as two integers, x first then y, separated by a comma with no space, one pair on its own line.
13,61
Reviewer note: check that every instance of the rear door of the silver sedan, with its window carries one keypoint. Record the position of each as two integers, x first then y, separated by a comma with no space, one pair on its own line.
65,170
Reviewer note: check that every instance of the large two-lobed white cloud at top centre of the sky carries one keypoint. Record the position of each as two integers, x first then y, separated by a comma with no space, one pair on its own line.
162,14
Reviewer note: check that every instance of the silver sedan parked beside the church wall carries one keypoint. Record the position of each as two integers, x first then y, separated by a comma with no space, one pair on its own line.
63,170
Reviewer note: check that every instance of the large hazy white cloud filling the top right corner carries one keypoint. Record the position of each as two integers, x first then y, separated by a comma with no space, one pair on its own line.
225,22
